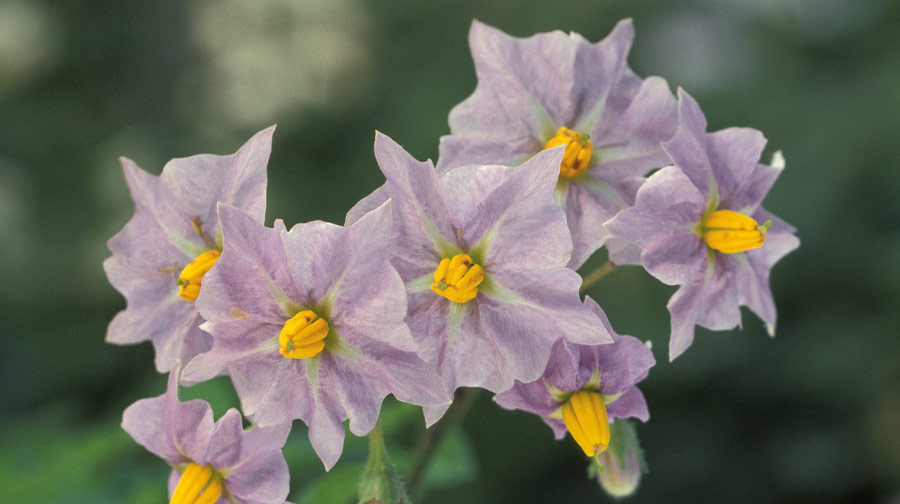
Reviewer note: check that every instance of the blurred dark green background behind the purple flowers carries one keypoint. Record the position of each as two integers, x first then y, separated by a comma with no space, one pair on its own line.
810,416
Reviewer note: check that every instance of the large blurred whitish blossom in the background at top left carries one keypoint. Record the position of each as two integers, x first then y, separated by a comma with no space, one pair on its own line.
267,60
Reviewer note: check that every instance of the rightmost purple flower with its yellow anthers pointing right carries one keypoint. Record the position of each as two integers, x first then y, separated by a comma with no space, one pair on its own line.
700,225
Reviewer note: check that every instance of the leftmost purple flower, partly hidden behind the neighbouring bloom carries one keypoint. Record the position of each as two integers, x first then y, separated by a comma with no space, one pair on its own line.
161,255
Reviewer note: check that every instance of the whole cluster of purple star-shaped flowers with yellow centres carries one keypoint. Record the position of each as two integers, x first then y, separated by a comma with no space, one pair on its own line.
455,275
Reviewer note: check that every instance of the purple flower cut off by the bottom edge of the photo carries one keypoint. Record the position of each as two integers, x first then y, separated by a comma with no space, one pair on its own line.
218,460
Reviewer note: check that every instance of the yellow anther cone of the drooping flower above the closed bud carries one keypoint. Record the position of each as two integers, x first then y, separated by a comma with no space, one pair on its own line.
585,417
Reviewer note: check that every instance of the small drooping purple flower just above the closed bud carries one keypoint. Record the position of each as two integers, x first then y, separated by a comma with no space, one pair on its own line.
581,373
